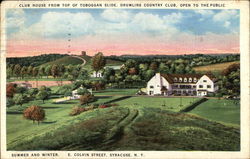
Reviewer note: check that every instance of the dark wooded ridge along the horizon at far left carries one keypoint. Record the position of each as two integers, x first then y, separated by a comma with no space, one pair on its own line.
34,60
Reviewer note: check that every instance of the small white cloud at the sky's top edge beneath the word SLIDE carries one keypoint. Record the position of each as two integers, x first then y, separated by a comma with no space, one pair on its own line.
116,15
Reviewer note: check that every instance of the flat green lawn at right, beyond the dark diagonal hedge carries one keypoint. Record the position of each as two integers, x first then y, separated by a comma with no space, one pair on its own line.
219,110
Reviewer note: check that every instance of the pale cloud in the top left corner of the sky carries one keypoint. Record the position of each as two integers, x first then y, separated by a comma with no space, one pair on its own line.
15,18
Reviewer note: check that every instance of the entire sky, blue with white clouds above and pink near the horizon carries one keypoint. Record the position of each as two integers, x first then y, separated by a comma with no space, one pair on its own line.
32,32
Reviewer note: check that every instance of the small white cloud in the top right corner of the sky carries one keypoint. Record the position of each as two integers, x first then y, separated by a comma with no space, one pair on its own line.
225,15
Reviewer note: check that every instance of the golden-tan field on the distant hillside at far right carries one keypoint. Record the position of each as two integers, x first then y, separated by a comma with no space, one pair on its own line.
214,67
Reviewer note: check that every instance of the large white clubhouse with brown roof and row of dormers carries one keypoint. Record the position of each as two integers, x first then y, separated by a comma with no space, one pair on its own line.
181,84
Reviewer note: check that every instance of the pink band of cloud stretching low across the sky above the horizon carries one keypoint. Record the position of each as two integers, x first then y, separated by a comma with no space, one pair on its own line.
127,44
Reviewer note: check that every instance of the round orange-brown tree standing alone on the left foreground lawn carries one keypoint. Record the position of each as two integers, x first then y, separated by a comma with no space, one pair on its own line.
35,113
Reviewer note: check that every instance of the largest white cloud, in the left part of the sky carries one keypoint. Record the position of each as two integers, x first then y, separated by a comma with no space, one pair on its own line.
55,24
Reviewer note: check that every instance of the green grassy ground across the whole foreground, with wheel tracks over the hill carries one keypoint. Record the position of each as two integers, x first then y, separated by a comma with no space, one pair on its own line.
137,123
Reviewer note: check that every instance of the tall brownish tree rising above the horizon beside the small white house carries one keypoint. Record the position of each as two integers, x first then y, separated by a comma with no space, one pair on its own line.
98,62
